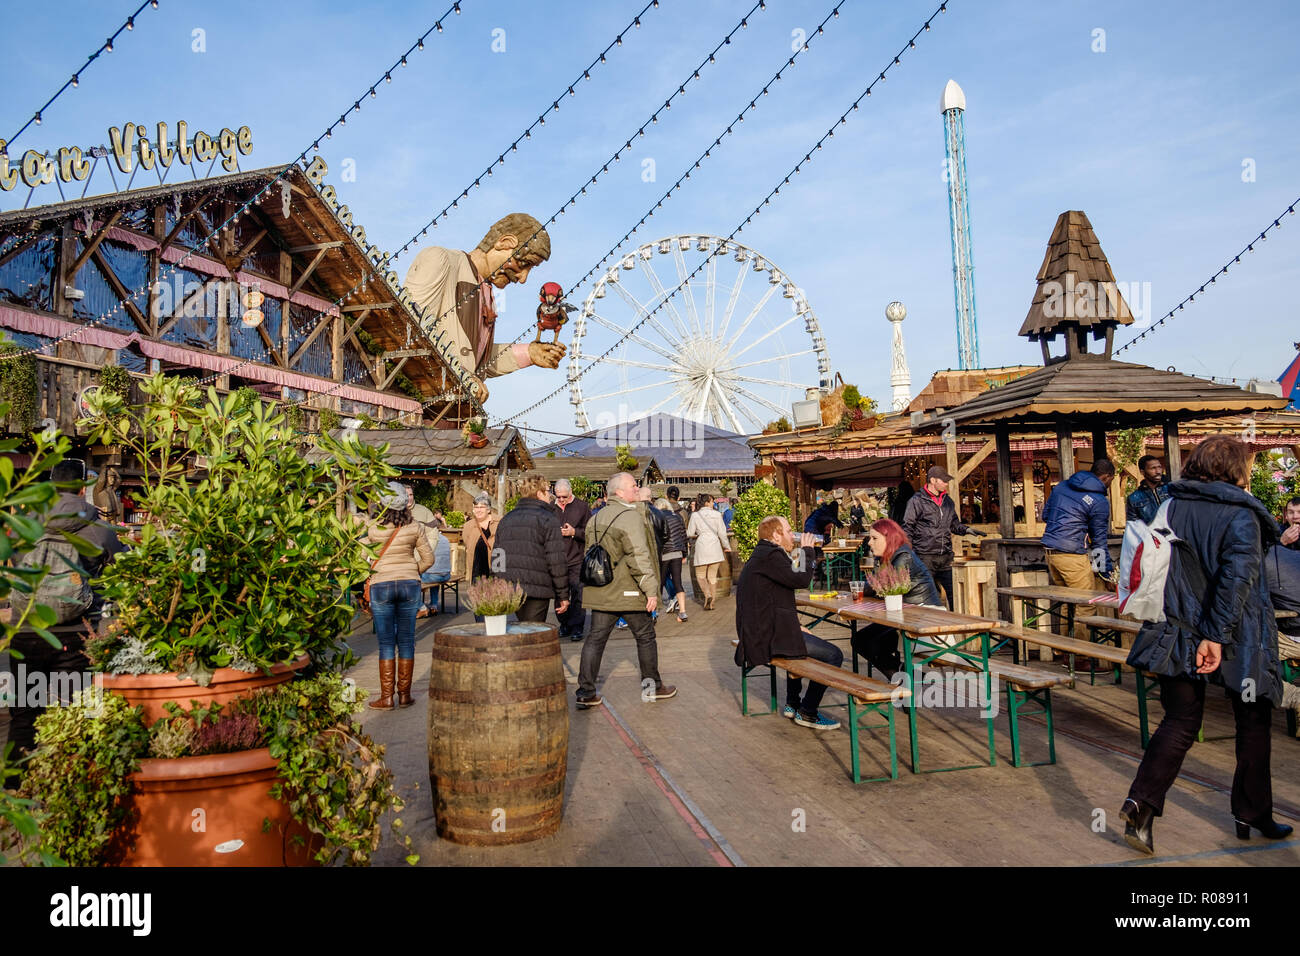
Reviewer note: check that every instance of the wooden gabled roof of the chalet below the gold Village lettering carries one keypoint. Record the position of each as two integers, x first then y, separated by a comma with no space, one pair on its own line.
311,232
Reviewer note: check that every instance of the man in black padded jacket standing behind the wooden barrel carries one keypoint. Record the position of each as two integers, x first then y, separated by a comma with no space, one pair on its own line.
531,550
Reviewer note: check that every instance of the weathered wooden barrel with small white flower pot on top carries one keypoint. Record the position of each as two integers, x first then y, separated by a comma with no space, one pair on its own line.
499,734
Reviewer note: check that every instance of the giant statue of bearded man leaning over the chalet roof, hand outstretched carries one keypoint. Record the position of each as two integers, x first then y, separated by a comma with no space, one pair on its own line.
454,295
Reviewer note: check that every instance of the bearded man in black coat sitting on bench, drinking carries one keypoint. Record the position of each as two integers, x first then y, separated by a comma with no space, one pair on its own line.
769,625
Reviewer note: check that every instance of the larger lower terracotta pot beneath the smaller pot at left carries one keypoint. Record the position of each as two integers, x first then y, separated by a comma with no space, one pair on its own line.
210,811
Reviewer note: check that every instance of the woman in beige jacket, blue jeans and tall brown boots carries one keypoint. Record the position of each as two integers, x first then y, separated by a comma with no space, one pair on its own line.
396,592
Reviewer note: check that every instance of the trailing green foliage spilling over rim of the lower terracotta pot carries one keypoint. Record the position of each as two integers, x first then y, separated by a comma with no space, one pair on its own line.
332,776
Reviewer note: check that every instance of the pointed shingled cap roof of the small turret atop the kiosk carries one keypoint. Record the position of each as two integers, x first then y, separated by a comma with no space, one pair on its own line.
1077,287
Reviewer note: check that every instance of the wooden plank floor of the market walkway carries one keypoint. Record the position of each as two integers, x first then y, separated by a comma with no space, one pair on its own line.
772,793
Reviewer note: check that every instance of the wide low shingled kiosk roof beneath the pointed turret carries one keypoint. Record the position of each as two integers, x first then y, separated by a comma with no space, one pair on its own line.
1102,392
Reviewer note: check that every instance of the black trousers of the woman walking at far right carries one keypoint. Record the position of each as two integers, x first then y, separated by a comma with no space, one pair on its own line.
1184,700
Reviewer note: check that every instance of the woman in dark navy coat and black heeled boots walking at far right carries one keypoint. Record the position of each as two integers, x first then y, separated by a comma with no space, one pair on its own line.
1220,626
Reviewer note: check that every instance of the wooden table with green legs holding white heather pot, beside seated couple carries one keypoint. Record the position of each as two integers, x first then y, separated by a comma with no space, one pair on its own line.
930,634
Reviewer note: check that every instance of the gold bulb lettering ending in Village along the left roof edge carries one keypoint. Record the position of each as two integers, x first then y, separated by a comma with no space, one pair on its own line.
127,145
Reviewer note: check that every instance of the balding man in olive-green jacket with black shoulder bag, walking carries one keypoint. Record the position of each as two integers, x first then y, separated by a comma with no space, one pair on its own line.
625,531
